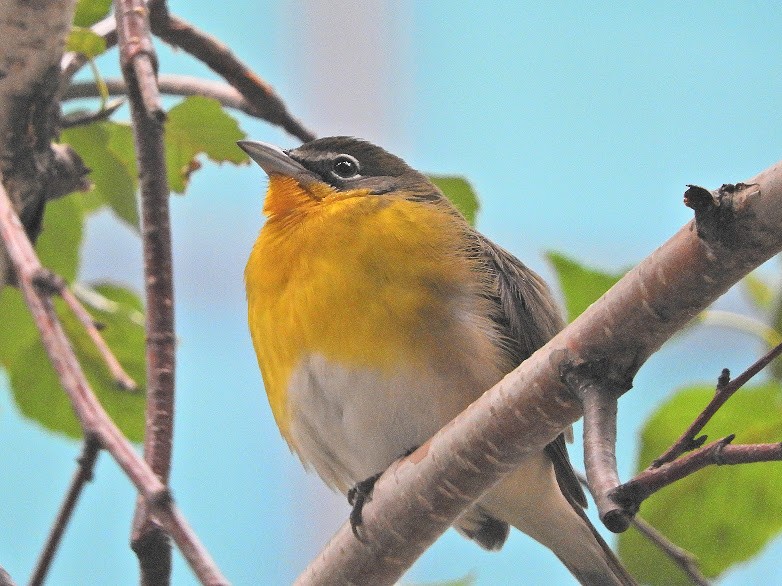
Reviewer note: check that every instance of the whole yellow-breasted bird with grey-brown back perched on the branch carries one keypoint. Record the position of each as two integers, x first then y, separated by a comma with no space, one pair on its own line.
378,314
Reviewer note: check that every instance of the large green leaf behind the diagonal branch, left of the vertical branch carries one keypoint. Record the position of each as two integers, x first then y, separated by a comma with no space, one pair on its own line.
36,388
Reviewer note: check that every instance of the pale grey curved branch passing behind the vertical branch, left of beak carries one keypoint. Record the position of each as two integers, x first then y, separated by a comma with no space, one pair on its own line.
173,85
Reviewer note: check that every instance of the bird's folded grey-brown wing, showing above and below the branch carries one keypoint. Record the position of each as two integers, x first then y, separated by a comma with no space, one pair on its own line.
529,317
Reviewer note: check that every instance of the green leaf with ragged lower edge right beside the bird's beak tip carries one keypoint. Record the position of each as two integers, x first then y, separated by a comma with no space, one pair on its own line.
194,126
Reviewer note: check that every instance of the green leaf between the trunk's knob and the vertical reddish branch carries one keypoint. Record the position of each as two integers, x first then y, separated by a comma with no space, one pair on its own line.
107,149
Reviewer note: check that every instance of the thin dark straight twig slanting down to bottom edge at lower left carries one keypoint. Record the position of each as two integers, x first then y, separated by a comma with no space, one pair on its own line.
83,475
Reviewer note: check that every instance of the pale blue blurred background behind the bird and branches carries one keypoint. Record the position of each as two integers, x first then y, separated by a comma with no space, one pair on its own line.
579,126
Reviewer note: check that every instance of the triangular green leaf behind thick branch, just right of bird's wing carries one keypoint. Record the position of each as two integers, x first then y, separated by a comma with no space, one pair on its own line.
580,285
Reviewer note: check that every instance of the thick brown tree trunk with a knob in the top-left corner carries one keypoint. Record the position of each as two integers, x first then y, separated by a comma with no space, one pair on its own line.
32,37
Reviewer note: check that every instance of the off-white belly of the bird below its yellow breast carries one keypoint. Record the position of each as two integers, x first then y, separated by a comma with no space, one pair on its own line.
350,423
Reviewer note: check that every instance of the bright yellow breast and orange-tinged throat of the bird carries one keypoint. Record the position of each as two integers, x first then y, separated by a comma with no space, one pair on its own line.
366,281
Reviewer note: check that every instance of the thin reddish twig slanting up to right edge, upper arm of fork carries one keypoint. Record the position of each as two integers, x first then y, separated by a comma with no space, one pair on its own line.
725,390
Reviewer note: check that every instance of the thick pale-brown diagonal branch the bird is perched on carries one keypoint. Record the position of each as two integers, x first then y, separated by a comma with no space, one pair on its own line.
419,497
